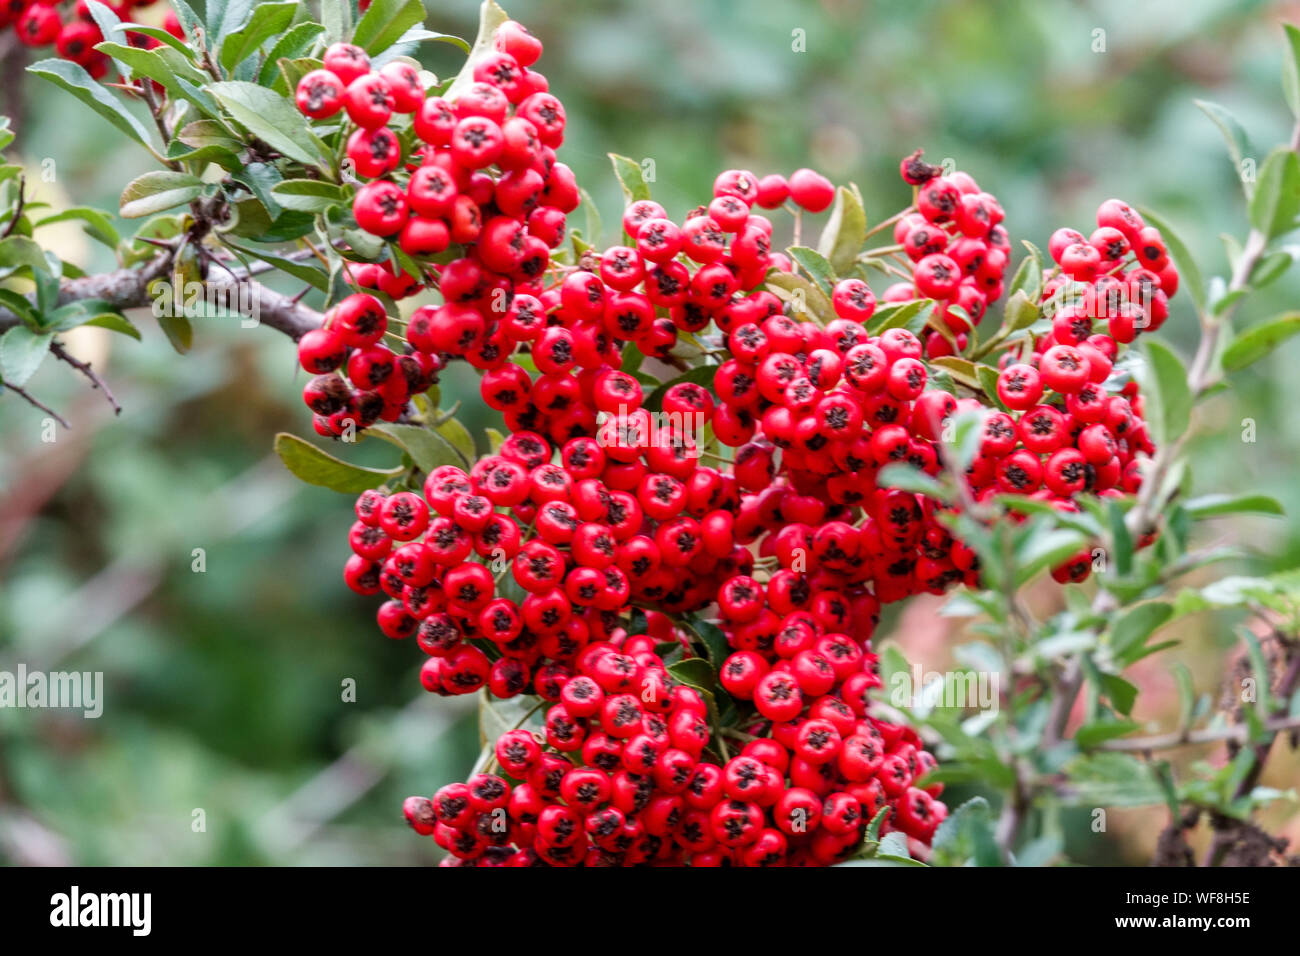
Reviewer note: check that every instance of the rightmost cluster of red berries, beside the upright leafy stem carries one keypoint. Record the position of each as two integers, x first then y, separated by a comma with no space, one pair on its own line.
1067,432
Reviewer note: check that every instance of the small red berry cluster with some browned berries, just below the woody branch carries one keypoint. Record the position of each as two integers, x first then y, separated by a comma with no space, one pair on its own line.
383,382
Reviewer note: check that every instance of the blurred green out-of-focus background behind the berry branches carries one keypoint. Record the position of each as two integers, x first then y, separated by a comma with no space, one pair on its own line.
224,686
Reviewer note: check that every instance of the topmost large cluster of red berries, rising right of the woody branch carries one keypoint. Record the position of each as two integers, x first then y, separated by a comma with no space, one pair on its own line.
482,180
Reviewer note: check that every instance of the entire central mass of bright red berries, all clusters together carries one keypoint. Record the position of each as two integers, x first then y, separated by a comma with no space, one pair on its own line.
521,576
